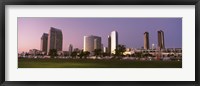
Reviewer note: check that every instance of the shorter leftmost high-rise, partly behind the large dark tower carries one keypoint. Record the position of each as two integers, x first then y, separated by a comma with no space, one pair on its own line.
44,42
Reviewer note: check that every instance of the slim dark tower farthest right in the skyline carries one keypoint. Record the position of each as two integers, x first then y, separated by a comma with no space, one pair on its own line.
161,42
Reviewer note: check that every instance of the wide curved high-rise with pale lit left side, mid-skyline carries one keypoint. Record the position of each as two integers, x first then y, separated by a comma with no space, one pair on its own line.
91,43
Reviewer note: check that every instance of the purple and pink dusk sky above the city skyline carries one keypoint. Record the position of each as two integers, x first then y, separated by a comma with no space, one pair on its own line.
130,30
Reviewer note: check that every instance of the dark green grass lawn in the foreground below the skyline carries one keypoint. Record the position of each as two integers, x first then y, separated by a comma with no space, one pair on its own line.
90,63
